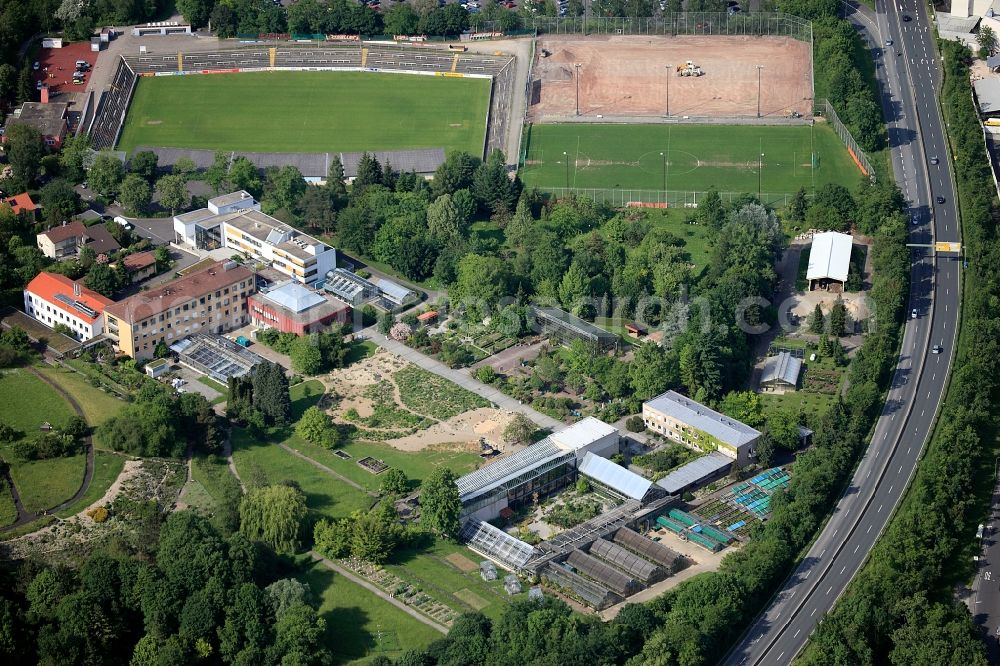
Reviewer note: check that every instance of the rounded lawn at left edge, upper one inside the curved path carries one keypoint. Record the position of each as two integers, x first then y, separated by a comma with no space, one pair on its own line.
26,401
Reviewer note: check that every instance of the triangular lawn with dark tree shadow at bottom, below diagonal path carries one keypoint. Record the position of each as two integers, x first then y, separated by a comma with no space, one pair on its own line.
359,625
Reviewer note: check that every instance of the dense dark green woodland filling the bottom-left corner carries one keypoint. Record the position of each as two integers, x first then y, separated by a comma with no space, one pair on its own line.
188,596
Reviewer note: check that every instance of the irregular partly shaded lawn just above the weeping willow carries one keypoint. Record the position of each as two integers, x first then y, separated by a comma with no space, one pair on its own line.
324,493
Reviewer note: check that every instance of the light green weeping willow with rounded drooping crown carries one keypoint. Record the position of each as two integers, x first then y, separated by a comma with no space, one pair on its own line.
273,515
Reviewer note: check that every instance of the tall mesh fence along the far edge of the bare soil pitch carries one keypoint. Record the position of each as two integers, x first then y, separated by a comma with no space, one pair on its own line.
680,23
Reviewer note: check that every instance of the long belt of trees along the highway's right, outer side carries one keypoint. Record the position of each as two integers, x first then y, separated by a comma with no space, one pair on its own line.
900,608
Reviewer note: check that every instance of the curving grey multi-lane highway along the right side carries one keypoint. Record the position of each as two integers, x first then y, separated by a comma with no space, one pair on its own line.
909,76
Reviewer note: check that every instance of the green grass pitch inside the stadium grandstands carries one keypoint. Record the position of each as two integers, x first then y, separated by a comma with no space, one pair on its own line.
308,112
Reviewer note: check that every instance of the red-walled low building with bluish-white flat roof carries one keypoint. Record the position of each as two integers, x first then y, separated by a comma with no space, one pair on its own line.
294,308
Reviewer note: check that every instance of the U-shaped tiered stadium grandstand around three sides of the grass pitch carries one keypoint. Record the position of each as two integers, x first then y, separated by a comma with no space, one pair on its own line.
113,104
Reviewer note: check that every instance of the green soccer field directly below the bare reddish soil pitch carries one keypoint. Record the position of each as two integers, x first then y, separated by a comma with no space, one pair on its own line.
698,157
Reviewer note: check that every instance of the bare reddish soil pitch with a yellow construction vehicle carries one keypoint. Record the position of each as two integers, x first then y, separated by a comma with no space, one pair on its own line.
628,76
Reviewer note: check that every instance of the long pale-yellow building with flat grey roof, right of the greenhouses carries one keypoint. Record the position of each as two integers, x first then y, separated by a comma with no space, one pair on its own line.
693,424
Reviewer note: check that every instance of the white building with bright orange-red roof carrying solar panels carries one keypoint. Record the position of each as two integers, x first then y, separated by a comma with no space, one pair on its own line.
55,299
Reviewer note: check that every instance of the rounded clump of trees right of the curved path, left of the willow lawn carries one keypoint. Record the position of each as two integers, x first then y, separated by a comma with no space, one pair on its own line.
162,423
